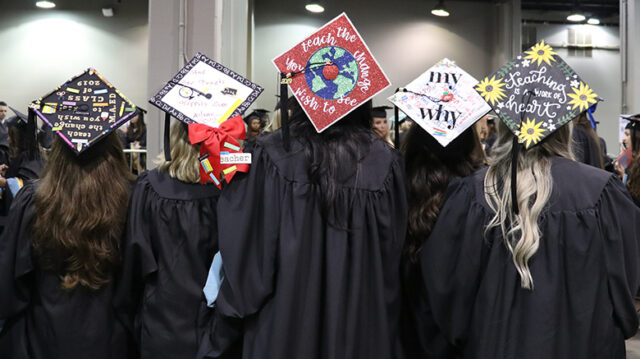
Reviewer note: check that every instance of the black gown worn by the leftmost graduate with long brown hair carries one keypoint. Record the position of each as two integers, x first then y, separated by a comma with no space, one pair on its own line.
43,320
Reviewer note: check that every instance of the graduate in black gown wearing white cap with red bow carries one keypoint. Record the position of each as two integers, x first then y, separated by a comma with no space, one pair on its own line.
172,233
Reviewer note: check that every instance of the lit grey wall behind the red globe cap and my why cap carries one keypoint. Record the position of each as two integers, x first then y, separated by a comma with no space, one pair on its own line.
405,44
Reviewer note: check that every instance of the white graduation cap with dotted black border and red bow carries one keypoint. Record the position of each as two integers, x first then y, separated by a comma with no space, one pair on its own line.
210,98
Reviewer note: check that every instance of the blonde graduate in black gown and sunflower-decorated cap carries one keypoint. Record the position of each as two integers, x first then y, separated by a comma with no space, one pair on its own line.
540,260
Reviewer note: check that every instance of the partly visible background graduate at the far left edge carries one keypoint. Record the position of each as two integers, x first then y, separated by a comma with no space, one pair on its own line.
25,161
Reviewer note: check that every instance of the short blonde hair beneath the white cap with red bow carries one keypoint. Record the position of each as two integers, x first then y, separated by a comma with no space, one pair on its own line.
184,164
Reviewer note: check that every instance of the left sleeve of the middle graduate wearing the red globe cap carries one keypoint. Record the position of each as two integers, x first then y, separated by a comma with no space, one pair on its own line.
248,212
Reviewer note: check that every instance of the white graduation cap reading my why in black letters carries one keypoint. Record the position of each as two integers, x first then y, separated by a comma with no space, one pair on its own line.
442,101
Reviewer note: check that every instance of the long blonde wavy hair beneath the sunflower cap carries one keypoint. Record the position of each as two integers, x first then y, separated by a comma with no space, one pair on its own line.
521,232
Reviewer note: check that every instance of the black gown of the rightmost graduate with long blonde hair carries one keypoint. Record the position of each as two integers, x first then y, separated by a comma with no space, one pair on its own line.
585,272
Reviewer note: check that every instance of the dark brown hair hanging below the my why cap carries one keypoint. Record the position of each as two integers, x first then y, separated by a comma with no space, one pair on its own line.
430,167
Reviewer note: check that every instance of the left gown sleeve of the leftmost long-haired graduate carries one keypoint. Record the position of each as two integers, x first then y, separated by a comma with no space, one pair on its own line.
15,256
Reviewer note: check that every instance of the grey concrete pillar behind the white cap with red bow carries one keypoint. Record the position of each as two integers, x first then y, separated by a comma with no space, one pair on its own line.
217,28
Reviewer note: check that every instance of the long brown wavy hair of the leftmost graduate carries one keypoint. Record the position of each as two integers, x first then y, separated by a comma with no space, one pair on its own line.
81,206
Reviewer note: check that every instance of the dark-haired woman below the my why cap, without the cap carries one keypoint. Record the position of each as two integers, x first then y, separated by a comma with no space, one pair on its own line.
430,168
